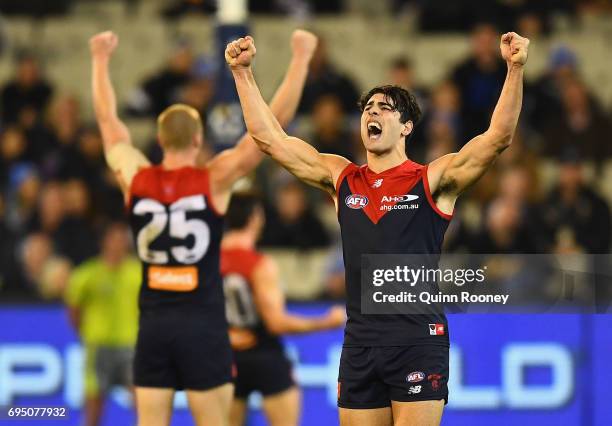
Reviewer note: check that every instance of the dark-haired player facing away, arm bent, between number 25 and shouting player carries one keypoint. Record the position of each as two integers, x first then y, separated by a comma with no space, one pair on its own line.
255,307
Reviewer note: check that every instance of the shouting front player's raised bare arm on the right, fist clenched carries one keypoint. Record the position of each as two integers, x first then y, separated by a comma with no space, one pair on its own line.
452,174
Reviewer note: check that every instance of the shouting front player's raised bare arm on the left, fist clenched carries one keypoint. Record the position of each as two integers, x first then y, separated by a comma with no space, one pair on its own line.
297,156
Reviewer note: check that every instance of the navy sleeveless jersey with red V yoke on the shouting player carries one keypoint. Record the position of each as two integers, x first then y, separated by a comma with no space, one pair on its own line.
391,212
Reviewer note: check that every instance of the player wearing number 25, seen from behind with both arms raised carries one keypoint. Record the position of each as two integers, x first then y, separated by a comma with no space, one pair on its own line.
176,212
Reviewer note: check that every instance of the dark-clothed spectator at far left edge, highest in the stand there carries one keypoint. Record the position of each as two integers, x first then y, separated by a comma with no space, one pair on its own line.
27,93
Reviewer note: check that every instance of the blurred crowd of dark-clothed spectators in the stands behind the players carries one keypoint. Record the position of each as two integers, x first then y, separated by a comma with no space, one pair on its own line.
57,195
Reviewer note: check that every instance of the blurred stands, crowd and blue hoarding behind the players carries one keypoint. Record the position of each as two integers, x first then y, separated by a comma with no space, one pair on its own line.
550,192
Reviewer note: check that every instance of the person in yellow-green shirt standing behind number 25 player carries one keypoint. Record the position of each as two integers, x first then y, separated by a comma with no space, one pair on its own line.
102,297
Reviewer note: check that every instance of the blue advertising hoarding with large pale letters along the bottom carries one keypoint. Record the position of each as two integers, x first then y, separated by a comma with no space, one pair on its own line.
505,369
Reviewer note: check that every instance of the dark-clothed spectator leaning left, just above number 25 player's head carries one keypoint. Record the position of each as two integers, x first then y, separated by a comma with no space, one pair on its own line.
163,88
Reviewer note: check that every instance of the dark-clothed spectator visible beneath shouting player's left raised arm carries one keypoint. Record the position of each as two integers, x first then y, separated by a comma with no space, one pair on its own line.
291,223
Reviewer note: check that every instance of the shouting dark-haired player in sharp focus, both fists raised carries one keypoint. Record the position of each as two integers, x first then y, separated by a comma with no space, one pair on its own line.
393,368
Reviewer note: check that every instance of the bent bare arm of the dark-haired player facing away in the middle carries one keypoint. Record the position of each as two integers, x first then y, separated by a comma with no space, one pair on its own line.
270,303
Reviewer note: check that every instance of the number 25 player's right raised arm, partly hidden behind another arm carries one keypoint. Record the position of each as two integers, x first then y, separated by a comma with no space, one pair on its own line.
232,164
